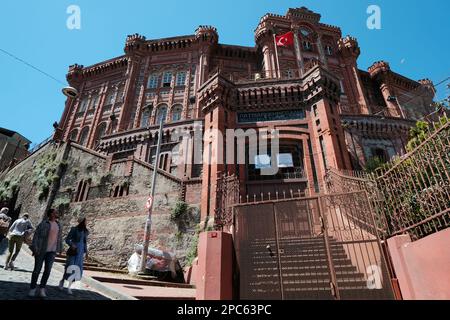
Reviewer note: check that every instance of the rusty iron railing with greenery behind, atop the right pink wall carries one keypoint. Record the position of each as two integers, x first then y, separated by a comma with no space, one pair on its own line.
410,194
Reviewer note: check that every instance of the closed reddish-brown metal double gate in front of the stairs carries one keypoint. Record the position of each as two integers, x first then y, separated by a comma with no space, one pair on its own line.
323,247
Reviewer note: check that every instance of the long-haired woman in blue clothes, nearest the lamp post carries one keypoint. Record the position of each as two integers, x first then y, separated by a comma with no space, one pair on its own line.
77,242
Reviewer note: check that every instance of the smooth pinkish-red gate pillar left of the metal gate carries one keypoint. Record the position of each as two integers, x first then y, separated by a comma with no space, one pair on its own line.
215,266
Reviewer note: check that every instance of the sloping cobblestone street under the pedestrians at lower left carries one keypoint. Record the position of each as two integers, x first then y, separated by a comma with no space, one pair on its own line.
14,285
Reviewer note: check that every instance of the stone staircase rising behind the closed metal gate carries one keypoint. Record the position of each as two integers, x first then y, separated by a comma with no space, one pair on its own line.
305,271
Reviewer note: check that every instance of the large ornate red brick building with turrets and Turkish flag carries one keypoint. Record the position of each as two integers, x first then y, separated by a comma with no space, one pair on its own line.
328,112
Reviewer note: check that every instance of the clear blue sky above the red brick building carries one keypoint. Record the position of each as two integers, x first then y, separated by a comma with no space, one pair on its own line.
414,38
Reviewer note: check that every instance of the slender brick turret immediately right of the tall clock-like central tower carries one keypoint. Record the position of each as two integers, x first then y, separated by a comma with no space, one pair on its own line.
349,52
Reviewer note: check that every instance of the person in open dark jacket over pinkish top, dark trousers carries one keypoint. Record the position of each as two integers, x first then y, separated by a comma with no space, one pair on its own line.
47,241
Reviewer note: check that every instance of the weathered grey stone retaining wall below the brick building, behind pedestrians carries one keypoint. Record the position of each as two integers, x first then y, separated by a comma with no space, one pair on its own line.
116,224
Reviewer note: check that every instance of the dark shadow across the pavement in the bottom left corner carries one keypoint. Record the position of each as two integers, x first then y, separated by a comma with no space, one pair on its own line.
19,291
